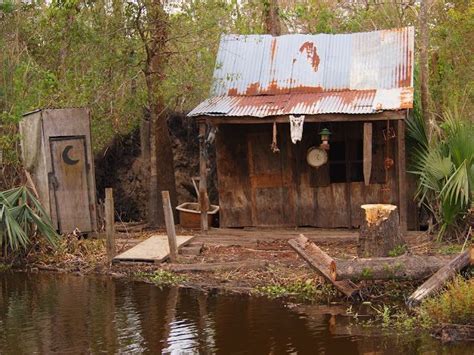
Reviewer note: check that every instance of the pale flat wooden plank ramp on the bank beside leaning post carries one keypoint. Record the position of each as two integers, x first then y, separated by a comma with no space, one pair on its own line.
153,250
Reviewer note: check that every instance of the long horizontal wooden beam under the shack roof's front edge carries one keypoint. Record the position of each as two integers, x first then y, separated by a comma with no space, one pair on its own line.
382,116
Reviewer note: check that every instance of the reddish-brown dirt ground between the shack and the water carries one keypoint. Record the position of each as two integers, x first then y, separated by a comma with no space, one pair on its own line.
254,260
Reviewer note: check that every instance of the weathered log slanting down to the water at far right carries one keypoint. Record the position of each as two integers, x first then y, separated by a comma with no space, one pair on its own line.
439,279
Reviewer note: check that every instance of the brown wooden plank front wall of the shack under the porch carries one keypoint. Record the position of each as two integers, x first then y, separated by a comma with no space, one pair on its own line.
260,188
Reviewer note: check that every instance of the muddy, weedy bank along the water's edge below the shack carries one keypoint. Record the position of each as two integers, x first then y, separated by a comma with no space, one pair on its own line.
252,266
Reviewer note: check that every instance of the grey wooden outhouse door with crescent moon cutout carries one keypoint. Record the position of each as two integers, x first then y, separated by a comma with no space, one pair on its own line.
69,180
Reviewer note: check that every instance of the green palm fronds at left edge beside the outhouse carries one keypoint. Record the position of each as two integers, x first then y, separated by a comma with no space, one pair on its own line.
21,217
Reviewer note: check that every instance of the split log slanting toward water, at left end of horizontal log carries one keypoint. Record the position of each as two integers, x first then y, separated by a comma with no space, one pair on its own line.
322,263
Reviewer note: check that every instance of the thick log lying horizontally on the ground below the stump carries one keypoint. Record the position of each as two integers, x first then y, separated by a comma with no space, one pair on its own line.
405,267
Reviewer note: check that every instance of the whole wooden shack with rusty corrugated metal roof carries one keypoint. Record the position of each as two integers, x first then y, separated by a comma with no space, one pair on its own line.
358,86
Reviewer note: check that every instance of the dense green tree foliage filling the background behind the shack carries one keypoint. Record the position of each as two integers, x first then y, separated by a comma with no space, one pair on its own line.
92,53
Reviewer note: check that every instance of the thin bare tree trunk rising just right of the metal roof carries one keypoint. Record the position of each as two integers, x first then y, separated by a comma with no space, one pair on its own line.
424,68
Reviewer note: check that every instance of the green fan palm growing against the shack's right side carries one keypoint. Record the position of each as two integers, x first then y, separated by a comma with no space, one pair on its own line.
444,165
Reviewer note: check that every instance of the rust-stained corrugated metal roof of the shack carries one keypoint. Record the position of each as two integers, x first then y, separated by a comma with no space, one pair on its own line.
261,75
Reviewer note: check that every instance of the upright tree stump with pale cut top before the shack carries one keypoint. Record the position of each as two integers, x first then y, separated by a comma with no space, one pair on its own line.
380,231
